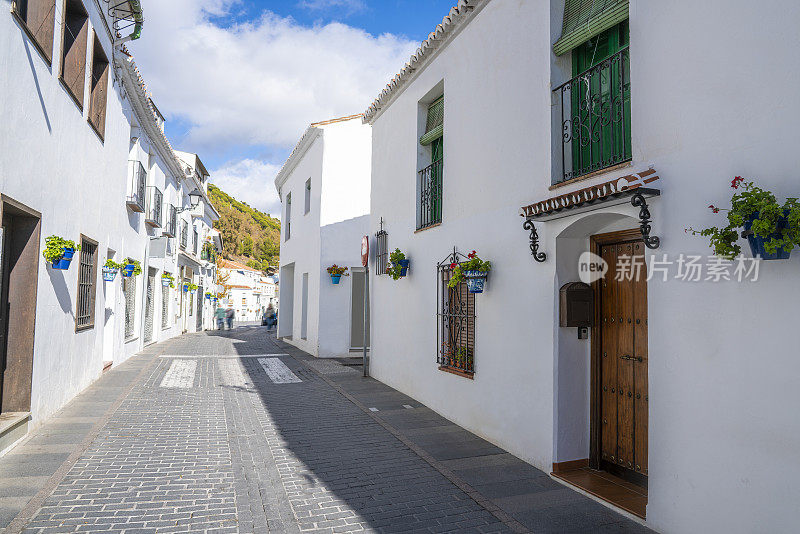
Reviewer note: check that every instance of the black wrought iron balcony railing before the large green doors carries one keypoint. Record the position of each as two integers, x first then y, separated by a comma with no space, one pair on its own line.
595,118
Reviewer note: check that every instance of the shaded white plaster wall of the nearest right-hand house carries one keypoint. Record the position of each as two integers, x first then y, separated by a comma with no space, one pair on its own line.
713,96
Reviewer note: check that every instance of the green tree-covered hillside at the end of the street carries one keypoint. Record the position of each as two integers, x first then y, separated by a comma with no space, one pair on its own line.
249,236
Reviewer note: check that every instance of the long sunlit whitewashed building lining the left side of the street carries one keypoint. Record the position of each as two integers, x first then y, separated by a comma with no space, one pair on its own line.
83,156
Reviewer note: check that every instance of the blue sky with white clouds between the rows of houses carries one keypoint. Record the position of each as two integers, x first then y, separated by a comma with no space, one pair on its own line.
239,81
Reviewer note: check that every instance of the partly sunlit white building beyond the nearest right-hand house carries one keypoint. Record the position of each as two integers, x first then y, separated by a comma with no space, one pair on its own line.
324,188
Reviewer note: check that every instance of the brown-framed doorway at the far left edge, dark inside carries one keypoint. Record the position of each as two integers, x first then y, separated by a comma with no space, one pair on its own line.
19,271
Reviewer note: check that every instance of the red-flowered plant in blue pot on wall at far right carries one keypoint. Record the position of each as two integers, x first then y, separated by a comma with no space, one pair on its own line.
772,229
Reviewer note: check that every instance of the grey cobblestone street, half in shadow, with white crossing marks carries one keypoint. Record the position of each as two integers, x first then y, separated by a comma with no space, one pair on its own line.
237,432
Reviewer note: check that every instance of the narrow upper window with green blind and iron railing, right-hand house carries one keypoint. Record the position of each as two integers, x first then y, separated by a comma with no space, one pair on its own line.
429,183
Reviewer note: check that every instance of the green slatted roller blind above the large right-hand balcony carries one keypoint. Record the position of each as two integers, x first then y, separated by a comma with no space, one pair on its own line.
583,19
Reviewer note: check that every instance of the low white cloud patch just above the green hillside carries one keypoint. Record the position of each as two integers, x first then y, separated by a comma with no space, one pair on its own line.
250,181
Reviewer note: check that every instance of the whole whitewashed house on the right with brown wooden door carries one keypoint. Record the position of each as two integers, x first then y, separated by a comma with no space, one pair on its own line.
573,113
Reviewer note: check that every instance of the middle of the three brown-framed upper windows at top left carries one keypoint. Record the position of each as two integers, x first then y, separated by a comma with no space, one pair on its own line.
73,51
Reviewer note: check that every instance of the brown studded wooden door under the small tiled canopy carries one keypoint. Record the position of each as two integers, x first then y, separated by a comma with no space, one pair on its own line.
622,367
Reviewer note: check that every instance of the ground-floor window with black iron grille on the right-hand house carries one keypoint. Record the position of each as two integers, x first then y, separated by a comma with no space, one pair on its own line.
456,322
